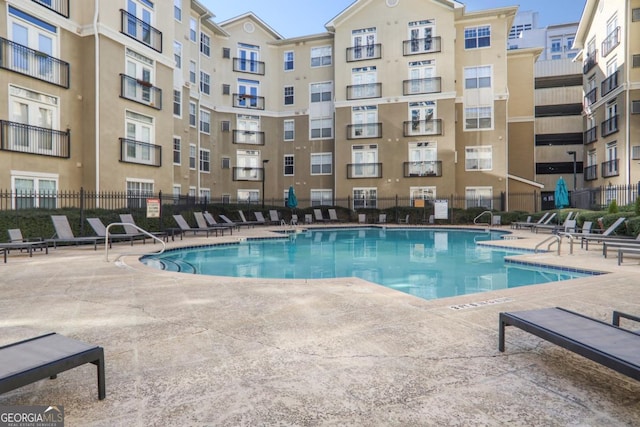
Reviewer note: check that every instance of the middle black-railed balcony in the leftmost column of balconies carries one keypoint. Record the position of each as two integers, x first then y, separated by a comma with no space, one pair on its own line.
29,62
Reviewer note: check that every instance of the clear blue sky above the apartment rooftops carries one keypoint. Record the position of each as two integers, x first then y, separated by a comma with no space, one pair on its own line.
293,18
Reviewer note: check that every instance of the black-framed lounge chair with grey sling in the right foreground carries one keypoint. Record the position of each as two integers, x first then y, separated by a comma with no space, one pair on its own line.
604,343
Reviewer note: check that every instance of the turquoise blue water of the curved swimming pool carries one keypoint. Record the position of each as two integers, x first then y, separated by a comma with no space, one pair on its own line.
429,263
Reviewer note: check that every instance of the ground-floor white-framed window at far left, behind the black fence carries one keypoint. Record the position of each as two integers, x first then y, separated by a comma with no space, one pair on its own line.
34,190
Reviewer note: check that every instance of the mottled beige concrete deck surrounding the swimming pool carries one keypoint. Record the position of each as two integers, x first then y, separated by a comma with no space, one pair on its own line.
199,350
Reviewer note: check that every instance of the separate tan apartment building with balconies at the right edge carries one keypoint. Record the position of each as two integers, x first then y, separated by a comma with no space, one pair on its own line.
609,39
